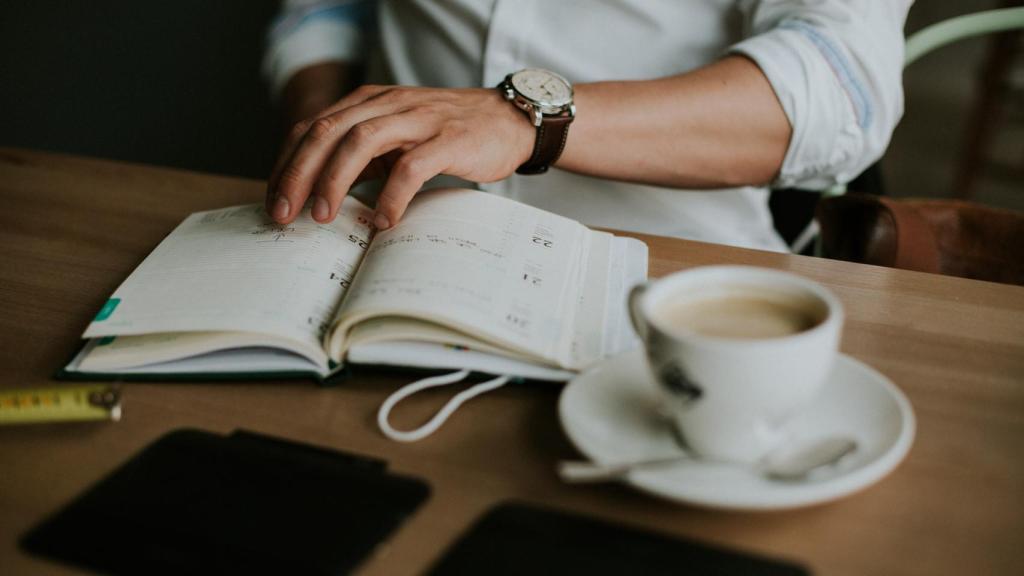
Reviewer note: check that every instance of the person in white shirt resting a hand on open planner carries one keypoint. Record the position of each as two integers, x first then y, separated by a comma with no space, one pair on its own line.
687,111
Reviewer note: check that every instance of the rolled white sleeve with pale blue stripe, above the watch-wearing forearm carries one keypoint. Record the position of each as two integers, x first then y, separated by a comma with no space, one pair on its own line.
837,69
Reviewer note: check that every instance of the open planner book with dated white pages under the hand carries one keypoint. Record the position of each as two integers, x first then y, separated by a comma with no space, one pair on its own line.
467,280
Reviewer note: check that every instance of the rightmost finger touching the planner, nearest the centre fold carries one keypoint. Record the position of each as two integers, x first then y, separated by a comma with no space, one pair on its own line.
409,174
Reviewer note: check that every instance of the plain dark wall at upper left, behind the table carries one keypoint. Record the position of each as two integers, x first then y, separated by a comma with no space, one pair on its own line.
172,84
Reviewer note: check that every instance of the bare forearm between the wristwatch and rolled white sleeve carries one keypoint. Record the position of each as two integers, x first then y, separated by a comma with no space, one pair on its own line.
718,127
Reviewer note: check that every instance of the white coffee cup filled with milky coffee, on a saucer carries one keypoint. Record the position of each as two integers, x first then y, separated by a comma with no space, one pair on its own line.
738,351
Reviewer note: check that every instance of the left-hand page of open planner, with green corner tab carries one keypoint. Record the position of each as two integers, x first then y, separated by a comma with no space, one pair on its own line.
235,270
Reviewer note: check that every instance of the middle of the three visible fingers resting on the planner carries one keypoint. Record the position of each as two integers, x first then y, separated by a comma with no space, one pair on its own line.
355,156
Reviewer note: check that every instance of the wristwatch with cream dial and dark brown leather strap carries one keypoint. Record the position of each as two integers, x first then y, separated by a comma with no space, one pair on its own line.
547,100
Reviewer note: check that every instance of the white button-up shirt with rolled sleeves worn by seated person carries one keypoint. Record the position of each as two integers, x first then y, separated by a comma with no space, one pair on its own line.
835,65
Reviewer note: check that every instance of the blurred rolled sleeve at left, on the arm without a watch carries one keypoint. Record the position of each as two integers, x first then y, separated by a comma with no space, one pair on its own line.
310,32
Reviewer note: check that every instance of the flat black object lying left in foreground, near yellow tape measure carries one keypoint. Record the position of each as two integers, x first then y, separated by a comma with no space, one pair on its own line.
195,503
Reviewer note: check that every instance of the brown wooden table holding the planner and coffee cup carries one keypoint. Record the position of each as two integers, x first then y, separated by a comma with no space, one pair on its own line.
72,229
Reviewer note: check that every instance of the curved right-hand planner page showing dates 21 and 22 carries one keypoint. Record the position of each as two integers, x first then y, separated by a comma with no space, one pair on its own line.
491,267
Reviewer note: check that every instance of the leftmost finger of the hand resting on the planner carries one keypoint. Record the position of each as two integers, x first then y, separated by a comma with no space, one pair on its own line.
307,147
